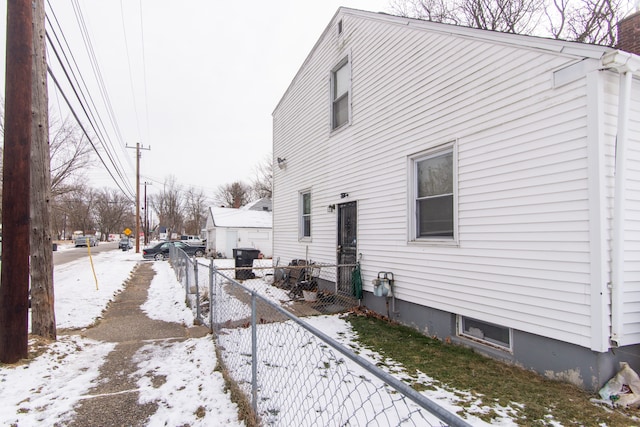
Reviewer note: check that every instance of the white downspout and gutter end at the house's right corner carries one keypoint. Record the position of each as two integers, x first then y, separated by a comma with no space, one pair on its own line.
626,64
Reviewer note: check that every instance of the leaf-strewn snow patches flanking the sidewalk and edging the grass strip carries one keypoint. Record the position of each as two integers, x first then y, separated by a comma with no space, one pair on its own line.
48,387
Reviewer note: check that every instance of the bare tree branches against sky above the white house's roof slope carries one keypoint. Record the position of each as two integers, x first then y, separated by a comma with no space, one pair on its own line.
587,21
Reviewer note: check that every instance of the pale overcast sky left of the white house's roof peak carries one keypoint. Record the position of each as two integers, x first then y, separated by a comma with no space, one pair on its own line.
194,80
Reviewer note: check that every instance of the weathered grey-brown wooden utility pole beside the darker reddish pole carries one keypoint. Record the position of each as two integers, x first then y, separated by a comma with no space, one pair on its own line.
43,319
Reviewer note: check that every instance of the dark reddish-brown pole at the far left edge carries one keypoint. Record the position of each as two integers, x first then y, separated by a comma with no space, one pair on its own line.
14,279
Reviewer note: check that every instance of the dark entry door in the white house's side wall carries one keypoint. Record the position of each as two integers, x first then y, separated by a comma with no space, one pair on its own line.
347,244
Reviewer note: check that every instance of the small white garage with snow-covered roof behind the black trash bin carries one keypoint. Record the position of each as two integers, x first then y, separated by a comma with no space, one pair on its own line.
229,228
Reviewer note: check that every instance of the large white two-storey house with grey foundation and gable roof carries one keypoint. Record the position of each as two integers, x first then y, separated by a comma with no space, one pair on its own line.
479,168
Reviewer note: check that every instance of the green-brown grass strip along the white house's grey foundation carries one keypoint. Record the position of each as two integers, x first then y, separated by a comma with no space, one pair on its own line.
531,397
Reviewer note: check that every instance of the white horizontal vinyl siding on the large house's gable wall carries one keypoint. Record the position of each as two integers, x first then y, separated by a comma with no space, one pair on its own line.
523,253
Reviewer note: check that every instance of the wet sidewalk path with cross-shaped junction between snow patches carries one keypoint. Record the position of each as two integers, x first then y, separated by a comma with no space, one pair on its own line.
114,401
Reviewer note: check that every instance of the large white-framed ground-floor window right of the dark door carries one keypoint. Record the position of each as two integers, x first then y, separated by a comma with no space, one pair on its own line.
434,205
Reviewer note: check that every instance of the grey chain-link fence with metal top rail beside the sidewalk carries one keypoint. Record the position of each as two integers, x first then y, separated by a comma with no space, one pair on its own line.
290,371
